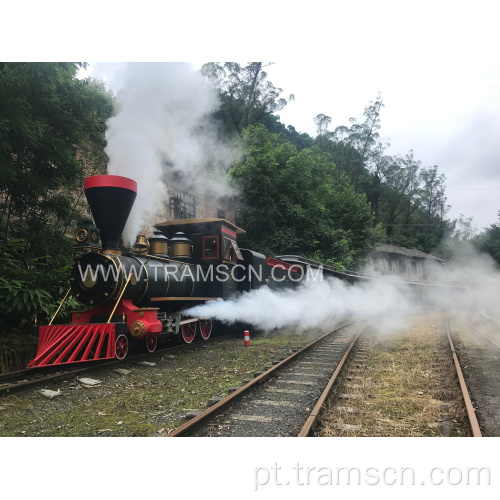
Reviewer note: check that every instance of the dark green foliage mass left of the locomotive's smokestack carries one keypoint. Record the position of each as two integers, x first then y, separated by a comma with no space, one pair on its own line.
51,137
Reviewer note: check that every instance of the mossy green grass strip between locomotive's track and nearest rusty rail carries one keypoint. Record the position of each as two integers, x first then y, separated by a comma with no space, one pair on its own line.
149,400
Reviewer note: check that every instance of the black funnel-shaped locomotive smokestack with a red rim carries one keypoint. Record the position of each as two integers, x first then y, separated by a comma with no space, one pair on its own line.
110,198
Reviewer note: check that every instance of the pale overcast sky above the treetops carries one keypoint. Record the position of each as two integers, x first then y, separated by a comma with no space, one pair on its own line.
446,110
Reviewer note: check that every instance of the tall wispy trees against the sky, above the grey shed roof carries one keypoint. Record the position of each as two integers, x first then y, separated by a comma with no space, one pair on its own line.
407,199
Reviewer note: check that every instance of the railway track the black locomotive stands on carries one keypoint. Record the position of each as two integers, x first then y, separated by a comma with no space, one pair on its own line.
17,381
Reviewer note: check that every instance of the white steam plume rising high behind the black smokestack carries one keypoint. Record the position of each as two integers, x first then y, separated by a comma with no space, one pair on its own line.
162,128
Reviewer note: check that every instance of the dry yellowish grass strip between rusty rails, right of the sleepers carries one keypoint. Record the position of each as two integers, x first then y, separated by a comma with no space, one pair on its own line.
408,388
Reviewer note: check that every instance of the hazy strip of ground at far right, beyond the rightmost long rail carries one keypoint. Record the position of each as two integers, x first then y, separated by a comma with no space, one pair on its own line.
476,339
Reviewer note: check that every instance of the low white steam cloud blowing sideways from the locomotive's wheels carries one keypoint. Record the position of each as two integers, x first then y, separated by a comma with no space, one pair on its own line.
469,281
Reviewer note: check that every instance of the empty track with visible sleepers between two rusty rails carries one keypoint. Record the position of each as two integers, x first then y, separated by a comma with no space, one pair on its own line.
284,400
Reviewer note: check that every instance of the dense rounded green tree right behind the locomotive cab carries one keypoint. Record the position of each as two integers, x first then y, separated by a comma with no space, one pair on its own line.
291,202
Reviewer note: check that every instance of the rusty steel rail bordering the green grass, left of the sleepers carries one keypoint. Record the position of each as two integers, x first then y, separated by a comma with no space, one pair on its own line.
205,415
